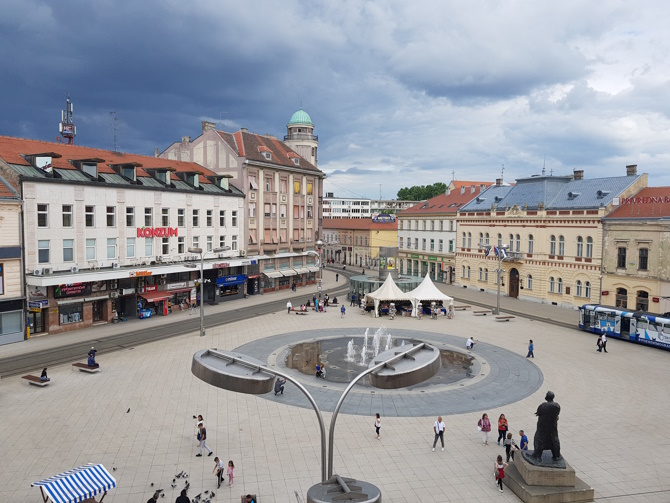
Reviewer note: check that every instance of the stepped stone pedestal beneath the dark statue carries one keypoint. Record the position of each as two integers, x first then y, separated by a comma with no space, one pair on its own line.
541,484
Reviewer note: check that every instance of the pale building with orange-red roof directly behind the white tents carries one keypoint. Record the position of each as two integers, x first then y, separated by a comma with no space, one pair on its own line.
427,232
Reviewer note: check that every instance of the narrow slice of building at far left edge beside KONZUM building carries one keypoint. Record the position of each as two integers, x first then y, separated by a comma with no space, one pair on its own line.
12,289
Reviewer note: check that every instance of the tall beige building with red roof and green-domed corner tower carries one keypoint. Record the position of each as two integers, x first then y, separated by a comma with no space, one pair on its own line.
283,191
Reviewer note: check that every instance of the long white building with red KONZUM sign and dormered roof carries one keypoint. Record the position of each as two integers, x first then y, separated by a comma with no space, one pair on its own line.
108,234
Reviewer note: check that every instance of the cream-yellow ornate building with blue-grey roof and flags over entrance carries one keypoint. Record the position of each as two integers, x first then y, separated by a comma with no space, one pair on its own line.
550,228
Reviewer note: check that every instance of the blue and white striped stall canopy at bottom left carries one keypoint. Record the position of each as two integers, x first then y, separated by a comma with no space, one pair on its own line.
77,484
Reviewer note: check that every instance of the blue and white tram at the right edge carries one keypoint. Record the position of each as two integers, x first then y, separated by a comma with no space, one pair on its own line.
633,326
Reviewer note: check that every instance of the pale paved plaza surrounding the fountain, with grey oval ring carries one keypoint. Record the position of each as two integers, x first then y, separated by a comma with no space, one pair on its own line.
614,408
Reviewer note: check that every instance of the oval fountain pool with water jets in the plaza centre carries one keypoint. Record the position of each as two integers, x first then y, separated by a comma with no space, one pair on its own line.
344,361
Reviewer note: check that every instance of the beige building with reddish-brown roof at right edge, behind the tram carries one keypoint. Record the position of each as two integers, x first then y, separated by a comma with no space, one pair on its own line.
636,237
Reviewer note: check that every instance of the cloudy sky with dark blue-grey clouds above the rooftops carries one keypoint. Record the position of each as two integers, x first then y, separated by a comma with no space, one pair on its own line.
401,93
